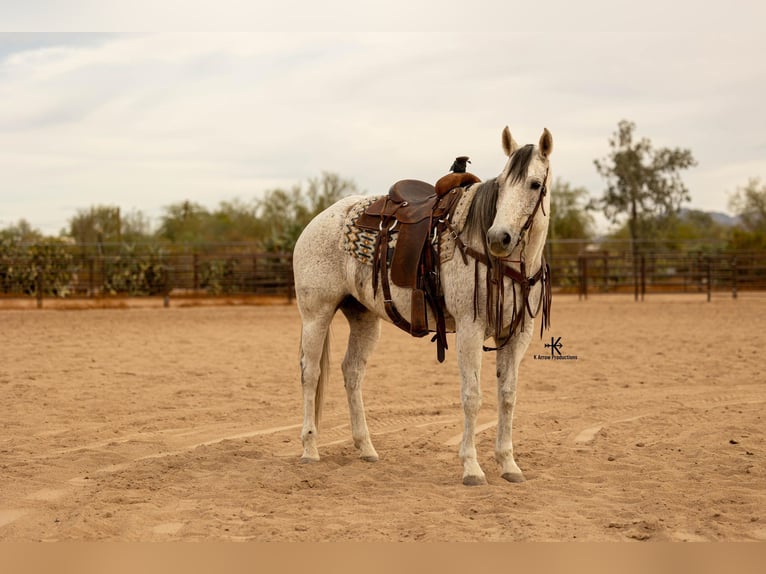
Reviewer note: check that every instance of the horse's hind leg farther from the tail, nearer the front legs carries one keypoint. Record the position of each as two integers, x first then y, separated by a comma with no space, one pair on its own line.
364,333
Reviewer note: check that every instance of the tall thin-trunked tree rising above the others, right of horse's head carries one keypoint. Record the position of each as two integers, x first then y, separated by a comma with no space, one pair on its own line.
642,184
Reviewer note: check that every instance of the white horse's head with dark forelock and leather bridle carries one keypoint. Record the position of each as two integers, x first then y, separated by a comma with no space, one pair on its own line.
521,219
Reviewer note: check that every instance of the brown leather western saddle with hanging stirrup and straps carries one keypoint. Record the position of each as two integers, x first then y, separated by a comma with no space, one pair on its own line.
415,213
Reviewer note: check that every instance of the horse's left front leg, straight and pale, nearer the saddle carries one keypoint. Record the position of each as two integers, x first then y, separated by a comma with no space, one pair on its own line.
469,342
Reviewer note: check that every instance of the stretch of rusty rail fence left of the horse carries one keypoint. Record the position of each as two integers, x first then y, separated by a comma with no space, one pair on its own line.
108,271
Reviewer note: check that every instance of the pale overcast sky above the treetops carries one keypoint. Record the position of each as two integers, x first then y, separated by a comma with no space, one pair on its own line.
145,120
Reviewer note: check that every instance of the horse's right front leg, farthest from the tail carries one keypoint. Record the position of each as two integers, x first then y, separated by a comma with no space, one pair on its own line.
508,359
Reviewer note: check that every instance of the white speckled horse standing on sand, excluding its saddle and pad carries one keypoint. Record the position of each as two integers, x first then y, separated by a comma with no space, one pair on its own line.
502,239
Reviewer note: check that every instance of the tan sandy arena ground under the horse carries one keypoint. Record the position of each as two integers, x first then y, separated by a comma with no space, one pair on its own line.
153,424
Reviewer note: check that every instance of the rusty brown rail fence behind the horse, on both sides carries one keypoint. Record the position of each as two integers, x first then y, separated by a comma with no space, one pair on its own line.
63,270
